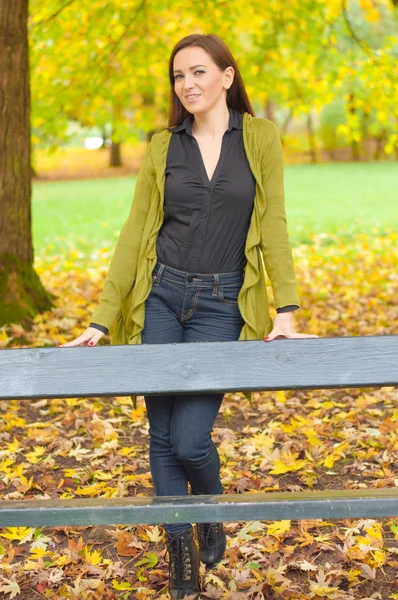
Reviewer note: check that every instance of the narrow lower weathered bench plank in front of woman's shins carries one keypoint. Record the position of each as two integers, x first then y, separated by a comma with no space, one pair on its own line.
324,504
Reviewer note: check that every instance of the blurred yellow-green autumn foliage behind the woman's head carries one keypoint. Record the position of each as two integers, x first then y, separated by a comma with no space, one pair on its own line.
103,62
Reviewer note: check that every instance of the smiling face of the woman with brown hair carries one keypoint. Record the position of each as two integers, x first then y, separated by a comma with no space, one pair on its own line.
197,75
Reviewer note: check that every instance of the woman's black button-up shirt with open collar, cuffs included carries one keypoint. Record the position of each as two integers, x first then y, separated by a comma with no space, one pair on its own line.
206,222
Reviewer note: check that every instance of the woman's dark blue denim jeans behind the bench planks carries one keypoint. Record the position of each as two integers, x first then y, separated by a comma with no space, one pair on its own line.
187,307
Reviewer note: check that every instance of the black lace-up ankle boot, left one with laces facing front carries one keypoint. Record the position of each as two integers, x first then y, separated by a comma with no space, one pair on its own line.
183,565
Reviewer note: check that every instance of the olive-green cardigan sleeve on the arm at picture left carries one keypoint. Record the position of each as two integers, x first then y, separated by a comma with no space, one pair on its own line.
123,267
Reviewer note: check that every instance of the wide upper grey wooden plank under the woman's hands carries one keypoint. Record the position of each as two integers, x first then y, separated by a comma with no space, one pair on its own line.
283,364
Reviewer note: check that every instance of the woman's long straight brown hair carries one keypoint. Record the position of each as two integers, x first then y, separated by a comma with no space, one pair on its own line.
237,97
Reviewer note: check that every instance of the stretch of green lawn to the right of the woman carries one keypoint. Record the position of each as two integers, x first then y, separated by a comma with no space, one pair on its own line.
341,198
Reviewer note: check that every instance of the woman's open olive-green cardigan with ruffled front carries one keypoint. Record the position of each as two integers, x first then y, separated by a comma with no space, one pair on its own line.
121,307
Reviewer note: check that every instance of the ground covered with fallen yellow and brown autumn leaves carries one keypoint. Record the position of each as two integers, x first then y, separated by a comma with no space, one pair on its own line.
287,441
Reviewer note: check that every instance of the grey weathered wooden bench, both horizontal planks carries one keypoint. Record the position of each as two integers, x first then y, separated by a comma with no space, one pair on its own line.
312,363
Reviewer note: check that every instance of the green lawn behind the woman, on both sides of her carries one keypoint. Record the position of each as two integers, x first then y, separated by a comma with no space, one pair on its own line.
336,198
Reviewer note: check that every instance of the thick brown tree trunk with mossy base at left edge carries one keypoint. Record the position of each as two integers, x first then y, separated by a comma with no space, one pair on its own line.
21,292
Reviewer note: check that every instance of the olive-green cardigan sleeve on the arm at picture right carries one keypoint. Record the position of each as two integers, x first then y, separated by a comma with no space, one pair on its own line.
275,245
